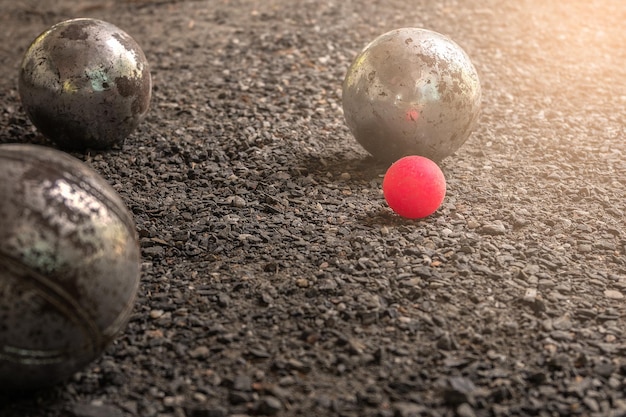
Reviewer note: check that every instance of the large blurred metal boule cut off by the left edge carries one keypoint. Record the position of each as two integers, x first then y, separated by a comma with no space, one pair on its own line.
69,265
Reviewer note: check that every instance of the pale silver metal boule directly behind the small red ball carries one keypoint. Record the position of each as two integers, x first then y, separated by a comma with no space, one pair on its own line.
411,92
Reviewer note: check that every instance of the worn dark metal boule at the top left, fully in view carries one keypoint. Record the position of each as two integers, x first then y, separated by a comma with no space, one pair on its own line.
85,83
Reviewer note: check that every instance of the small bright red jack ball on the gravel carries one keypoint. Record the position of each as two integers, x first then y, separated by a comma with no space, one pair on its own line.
414,187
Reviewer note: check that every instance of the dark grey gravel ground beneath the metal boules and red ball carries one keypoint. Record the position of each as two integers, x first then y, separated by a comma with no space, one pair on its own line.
276,281
